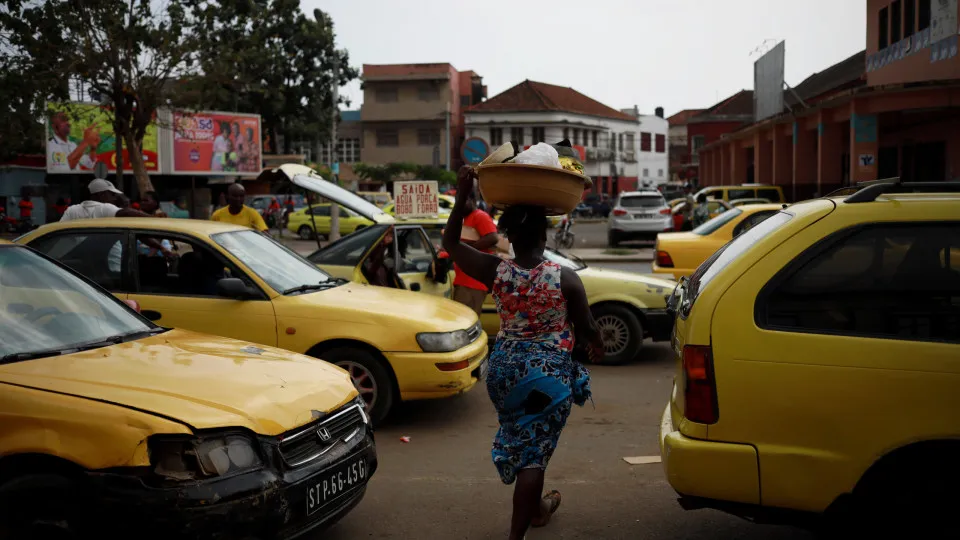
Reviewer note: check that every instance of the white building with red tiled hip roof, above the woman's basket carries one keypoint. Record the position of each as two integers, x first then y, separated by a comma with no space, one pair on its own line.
623,150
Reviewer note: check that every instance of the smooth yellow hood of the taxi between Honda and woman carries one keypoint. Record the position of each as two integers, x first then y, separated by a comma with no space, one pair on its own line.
384,310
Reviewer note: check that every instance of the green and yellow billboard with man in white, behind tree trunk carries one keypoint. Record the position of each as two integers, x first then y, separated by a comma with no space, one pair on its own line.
80,134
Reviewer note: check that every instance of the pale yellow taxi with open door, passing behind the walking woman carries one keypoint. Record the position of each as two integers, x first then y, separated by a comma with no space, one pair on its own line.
628,307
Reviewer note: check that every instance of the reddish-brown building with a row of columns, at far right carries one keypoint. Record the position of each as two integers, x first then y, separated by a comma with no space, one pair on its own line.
890,110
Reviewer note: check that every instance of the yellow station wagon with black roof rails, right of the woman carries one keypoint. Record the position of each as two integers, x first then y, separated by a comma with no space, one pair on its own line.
818,363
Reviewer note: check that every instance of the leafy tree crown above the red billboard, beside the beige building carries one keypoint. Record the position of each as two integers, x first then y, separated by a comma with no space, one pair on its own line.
267,57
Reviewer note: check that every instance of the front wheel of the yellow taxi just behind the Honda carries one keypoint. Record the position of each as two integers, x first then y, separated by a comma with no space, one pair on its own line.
370,377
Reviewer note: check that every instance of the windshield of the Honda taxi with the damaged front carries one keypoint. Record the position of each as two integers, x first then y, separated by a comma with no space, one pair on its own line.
46,309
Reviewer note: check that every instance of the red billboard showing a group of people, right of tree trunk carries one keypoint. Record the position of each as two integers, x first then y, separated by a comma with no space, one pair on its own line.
216,143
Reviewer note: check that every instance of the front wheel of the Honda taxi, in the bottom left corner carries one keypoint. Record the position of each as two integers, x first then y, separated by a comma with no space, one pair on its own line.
40,505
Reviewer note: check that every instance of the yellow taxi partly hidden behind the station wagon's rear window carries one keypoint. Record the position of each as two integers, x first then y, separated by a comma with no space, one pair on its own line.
678,254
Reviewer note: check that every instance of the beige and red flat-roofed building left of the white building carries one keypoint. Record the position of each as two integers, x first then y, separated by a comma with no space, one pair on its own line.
414,112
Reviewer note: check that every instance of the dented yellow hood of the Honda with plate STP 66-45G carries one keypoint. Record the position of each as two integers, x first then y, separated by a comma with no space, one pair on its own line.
200,380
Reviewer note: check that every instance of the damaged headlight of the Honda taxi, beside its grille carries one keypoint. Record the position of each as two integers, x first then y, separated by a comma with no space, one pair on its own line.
206,456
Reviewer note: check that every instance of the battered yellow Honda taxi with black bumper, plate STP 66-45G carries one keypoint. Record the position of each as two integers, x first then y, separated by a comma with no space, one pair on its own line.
114,424
